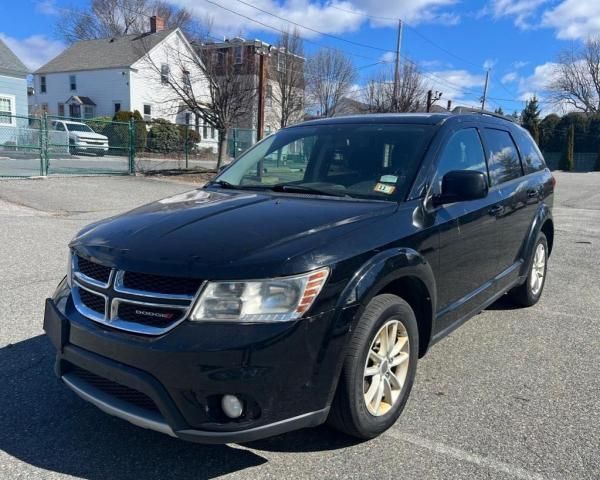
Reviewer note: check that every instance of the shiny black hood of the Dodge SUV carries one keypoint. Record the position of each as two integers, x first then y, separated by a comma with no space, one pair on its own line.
228,235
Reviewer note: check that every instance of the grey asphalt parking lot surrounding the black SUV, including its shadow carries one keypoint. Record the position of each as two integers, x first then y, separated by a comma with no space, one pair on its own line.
512,394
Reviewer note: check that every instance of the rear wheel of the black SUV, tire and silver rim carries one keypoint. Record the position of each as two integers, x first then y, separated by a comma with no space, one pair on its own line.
530,292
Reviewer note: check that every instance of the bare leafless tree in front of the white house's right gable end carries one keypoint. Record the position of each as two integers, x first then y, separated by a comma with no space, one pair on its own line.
208,83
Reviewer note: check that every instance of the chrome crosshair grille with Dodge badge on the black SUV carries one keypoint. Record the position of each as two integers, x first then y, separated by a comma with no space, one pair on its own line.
131,301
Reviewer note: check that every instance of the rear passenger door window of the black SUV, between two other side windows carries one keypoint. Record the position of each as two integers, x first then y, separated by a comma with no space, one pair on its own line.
504,164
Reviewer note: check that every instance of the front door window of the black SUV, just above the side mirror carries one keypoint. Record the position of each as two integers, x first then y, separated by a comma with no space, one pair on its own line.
462,152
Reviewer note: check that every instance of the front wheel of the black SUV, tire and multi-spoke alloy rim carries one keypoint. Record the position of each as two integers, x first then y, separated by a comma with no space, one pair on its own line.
376,379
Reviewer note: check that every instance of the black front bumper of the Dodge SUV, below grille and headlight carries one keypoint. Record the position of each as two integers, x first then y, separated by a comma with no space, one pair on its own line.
286,374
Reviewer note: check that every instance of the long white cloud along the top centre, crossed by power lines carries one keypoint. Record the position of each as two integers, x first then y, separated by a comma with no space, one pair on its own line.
333,17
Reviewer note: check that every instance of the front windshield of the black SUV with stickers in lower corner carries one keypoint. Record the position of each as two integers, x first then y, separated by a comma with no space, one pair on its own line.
374,161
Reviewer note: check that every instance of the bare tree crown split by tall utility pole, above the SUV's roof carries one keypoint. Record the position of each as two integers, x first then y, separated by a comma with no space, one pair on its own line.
379,92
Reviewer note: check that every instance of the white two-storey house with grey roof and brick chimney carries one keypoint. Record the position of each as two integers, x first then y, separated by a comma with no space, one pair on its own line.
95,78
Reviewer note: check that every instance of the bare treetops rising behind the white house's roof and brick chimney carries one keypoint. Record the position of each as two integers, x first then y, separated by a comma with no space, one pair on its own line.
108,18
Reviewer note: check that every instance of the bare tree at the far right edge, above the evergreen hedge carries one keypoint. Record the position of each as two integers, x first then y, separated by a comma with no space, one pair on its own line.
576,78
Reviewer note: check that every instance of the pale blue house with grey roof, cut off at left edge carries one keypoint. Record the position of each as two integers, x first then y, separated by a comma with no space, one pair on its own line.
13,86
